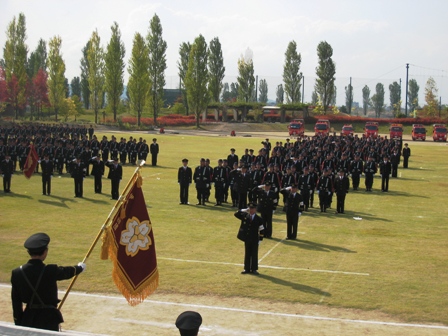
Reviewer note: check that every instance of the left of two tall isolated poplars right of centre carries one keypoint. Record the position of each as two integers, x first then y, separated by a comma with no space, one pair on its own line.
292,77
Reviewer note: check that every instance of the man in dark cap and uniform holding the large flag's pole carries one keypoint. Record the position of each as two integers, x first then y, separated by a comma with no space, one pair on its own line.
35,284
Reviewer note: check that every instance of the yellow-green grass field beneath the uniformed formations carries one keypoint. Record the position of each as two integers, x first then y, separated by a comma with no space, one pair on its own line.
394,260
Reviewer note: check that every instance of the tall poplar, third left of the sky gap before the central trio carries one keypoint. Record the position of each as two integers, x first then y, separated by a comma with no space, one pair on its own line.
114,69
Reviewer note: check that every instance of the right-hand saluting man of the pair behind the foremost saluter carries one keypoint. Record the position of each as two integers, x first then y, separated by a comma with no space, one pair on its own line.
294,209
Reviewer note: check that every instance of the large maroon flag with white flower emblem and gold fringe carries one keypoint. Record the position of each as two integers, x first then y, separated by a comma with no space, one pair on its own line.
129,243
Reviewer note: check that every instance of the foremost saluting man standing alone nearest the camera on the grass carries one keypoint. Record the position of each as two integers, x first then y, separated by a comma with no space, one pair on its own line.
251,232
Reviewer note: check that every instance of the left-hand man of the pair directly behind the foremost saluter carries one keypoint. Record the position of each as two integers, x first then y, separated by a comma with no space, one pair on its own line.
267,204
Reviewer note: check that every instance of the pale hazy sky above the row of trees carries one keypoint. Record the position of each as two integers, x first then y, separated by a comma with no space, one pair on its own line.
372,40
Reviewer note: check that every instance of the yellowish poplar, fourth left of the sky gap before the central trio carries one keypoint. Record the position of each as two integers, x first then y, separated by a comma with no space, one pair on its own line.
95,56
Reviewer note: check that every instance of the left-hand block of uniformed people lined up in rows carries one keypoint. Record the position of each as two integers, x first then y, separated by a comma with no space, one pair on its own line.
72,150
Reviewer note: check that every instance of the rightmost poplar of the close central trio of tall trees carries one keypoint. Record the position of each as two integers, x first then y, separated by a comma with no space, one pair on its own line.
216,69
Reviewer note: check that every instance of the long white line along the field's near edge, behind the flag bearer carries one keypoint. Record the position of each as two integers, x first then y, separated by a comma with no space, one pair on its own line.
260,312
